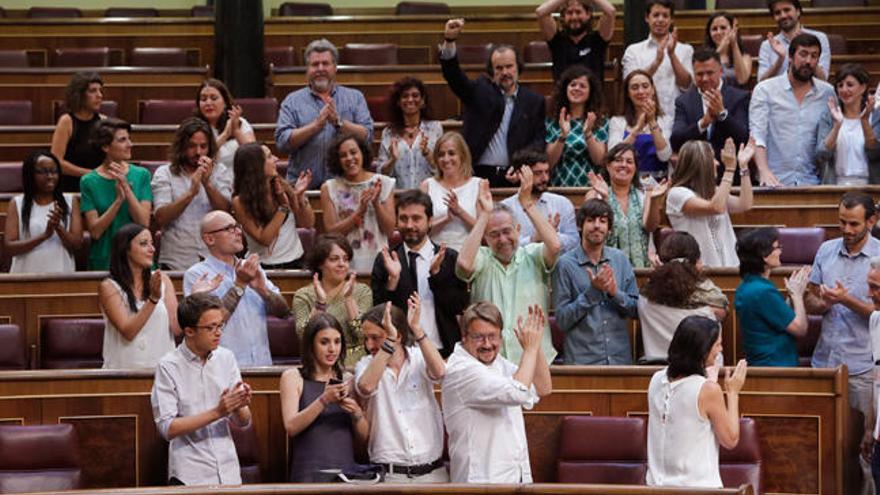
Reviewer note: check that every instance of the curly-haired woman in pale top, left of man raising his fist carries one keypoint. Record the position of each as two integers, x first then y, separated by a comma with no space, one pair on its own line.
406,151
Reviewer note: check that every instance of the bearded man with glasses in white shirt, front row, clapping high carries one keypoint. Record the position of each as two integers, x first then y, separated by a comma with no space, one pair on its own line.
483,396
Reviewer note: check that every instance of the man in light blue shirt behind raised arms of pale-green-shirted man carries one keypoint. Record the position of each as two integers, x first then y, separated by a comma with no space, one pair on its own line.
557,208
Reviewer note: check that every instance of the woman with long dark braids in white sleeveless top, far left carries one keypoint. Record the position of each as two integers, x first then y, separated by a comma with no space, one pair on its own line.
43,226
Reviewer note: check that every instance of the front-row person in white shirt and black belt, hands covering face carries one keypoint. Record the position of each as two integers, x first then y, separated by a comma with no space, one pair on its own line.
397,380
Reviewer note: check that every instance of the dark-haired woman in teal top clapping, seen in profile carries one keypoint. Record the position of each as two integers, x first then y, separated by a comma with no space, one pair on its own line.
768,325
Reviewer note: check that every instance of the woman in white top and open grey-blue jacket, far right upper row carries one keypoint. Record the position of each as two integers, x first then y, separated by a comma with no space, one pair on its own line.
846,146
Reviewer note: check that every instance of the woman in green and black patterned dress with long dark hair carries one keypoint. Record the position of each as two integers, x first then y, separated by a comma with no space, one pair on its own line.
577,130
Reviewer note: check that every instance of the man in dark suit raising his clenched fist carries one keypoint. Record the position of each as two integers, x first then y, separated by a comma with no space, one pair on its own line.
500,116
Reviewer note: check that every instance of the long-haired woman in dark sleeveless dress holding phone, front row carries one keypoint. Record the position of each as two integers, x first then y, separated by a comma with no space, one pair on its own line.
318,411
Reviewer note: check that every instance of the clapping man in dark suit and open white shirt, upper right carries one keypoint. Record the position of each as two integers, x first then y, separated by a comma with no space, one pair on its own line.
712,110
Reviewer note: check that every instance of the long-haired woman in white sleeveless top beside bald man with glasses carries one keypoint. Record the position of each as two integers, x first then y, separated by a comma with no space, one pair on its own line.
139,307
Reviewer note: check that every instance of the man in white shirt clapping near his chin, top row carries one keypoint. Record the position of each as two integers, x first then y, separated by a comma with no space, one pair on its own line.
662,55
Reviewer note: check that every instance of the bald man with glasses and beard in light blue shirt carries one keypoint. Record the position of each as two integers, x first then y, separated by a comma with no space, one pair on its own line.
247,294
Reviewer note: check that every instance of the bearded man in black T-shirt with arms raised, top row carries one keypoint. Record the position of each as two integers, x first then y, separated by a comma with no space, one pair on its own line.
576,42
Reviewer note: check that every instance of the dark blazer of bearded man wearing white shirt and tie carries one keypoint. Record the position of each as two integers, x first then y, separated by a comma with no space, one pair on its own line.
450,294
